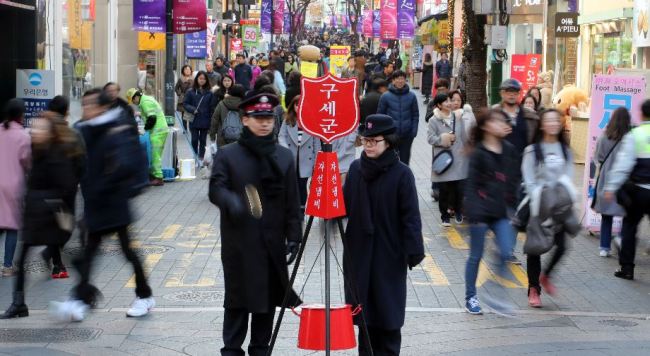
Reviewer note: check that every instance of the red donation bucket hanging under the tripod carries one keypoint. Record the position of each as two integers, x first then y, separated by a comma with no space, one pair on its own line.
312,327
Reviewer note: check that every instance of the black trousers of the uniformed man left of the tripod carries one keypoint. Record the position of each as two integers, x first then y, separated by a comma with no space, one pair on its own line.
235,328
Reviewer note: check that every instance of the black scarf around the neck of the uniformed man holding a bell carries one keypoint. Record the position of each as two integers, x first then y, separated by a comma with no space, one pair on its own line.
263,147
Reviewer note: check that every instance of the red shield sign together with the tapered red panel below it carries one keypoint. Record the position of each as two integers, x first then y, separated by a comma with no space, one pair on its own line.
328,109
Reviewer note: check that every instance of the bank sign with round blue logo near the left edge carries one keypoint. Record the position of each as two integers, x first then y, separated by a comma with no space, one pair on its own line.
36,89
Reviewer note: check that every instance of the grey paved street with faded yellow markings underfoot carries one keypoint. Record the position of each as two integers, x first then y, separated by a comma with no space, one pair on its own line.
177,235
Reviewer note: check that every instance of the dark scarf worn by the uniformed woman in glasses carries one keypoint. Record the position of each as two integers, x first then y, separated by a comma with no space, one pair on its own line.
371,169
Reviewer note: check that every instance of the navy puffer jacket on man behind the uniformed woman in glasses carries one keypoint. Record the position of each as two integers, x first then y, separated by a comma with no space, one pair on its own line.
402,106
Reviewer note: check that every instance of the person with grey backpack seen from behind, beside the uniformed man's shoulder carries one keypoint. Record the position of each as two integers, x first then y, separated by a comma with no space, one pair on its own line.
226,123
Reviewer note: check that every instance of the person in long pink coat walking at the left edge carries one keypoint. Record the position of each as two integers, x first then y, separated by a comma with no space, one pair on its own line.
15,160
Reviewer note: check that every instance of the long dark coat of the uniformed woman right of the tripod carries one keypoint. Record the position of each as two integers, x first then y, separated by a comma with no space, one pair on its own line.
379,259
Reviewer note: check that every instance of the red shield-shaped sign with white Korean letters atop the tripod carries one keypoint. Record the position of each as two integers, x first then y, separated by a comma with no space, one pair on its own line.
329,107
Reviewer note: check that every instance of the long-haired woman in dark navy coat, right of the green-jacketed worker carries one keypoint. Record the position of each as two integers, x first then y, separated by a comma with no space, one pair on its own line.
201,102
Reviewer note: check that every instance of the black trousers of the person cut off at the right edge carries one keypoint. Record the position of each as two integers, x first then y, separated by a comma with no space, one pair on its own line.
640,207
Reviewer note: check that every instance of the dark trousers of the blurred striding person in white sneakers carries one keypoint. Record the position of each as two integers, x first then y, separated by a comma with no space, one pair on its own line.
87,292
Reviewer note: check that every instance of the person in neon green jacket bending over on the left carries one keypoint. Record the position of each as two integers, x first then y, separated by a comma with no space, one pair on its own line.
154,118
